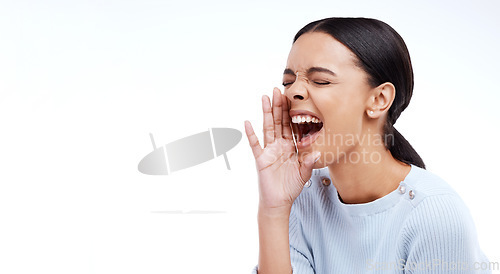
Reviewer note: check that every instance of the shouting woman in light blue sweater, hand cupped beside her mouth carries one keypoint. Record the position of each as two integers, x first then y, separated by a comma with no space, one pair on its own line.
350,194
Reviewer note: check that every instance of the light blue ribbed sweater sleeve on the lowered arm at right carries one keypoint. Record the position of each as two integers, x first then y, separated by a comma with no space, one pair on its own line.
441,238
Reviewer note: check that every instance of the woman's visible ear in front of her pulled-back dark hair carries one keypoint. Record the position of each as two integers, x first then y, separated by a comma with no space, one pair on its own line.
380,100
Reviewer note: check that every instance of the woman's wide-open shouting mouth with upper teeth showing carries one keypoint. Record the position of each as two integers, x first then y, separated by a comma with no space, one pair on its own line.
305,128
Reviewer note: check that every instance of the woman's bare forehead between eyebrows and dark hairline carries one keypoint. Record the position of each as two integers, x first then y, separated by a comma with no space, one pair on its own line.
319,49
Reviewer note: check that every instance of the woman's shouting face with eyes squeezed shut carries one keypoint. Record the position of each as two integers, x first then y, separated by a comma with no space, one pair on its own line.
321,78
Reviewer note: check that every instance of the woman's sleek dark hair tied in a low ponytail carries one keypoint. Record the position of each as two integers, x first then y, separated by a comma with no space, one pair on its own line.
383,55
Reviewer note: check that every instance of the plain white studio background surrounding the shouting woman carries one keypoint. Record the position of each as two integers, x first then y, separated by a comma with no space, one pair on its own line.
83,83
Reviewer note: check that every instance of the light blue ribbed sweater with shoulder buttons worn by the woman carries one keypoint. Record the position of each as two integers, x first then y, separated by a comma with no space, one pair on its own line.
423,226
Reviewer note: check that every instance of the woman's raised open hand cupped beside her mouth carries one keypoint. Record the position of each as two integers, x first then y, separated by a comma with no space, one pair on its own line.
282,173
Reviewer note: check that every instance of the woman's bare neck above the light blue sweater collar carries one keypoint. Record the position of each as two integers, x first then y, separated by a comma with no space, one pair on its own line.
365,181
